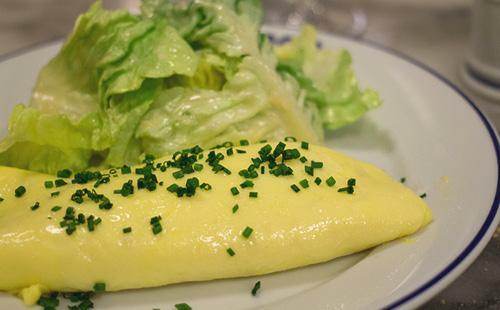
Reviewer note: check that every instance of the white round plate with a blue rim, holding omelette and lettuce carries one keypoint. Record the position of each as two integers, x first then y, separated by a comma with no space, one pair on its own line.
426,131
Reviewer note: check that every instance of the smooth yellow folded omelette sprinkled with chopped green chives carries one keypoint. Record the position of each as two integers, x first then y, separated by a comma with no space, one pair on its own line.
200,215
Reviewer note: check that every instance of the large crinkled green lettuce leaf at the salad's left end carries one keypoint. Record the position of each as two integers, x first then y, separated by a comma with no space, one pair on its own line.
99,86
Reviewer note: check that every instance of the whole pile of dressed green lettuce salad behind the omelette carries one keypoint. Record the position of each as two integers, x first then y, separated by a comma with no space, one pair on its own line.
175,75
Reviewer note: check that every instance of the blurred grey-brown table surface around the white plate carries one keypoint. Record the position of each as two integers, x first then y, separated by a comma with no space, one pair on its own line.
435,33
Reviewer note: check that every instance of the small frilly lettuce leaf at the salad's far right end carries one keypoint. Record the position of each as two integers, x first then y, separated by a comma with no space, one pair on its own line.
327,78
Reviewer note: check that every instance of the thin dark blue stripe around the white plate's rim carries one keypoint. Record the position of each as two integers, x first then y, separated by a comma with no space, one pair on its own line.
491,131
